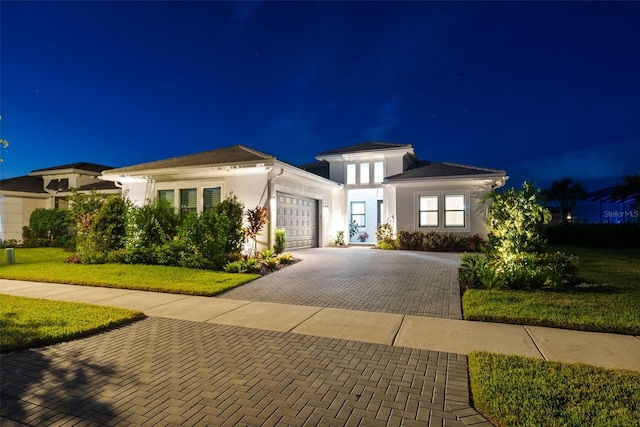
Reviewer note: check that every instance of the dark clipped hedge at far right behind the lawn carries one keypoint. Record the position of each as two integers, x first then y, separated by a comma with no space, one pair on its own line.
600,235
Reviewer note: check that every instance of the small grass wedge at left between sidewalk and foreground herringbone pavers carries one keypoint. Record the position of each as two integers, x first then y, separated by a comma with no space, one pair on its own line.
31,322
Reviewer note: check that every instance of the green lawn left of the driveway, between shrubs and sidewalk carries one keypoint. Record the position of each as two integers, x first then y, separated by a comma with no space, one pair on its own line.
47,265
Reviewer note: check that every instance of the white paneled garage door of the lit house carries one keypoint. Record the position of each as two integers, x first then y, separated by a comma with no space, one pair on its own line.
299,216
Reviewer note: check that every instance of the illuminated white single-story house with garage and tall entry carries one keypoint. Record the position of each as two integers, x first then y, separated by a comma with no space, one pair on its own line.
366,184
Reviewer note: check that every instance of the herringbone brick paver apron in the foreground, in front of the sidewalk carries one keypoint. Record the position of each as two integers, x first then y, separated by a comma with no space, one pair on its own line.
161,372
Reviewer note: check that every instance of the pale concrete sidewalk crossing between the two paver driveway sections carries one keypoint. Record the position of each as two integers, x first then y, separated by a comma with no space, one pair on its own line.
398,330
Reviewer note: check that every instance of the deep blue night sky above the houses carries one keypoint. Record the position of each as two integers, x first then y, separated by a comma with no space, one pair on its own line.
541,89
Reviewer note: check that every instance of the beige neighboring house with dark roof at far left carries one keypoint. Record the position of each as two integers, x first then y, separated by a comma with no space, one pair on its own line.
46,188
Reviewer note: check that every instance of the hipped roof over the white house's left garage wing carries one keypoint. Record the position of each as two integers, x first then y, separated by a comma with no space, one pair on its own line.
221,156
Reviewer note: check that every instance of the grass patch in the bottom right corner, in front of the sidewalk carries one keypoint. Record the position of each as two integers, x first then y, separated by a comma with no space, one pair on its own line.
518,391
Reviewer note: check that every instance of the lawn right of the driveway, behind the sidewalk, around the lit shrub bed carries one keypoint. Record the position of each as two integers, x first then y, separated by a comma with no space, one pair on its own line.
608,300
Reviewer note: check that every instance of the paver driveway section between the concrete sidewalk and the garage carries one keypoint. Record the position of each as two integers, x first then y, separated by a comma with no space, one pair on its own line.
361,278
